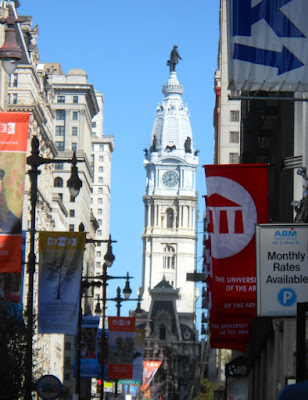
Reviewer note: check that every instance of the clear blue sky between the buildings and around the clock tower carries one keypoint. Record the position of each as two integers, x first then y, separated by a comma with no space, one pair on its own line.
123,45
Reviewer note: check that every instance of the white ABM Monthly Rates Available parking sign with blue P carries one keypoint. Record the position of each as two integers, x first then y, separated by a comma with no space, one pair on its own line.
282,268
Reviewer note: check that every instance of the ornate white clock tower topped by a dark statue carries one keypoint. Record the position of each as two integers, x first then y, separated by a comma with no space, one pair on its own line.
170,200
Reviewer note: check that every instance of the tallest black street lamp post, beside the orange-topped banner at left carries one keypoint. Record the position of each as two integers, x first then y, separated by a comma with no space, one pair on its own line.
74,184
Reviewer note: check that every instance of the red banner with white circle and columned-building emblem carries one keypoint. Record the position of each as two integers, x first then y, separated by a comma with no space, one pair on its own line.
237,199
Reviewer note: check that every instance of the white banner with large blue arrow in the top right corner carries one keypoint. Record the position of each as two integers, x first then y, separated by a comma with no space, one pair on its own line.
268,45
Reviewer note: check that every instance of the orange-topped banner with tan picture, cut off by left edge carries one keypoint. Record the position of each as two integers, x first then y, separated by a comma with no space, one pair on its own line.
13,148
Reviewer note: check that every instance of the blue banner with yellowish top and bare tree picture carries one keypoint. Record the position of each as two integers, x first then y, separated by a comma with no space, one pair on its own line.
60,267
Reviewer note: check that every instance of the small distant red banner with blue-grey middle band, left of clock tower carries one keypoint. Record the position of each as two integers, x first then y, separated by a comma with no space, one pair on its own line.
121,347
